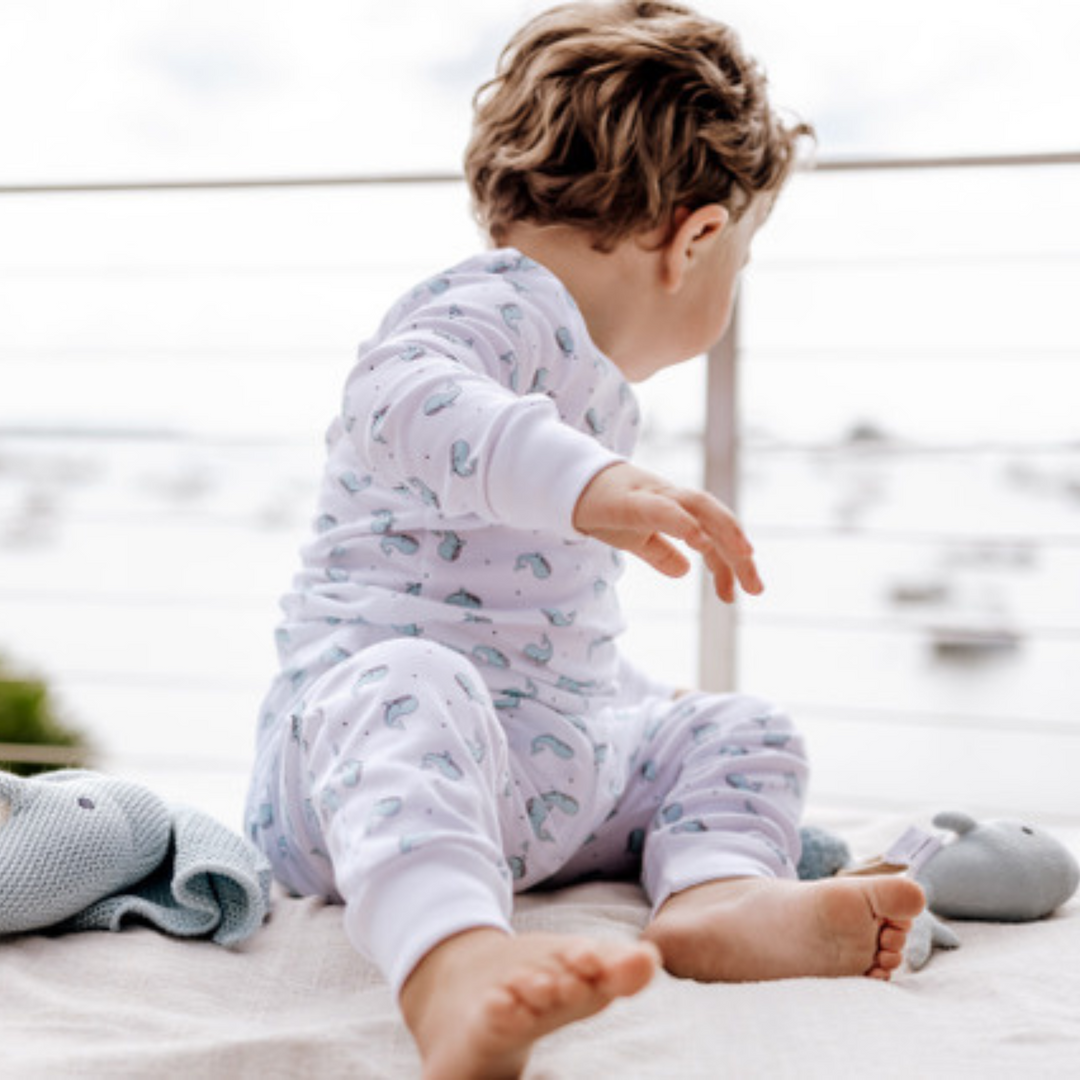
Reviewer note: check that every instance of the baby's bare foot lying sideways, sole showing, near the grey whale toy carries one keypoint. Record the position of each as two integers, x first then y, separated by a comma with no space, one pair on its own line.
751,929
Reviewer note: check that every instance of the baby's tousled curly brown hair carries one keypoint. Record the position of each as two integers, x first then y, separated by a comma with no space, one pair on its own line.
611,116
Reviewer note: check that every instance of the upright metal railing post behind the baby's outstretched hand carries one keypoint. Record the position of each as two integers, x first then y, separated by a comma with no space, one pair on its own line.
718,639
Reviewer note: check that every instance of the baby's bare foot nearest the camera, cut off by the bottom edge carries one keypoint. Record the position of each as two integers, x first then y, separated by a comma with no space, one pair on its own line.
478,1002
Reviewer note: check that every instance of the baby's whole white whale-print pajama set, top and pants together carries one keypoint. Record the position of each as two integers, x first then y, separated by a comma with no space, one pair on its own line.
453,721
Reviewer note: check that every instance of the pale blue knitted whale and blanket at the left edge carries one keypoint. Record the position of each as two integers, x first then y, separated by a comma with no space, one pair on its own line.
80,850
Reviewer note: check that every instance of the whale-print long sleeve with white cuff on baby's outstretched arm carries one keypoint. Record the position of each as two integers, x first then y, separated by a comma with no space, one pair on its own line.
437,410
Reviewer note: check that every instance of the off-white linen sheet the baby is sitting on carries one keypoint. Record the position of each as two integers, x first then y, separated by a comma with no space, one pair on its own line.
296,1003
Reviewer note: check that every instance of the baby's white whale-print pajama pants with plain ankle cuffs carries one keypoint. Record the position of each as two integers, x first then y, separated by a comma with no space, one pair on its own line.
401,791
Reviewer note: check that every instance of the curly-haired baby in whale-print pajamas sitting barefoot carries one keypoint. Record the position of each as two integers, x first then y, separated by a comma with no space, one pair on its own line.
453,721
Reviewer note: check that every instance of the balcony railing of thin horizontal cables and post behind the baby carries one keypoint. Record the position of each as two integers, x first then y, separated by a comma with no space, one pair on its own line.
726,447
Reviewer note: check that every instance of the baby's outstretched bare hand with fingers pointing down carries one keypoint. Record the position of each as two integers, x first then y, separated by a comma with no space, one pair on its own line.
631,509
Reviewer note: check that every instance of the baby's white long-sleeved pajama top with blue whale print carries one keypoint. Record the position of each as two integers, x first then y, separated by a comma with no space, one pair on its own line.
470,425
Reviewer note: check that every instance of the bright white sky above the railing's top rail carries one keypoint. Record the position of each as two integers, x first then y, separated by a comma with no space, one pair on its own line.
121,89
